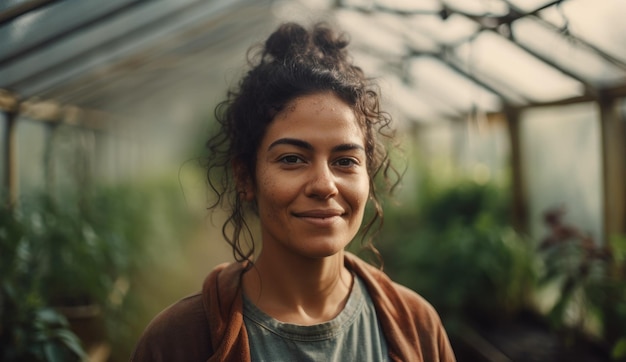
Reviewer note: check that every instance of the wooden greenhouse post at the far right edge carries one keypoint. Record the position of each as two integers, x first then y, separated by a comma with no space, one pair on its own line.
613,134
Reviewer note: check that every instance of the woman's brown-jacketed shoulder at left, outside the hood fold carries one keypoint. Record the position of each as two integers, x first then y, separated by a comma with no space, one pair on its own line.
180,332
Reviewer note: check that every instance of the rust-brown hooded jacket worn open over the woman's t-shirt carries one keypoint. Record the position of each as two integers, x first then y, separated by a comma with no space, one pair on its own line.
182,332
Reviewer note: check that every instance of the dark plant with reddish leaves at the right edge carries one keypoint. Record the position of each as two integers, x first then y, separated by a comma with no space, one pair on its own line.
591,283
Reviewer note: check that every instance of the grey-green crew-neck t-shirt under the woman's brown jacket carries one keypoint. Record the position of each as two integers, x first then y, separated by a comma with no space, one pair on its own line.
354,335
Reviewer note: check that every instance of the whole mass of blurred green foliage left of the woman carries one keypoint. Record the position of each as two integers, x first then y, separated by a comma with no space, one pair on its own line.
84,248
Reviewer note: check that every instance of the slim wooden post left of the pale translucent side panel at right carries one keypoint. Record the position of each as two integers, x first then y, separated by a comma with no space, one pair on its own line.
518,181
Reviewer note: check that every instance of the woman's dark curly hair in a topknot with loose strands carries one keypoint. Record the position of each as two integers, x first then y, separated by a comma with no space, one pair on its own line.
293,62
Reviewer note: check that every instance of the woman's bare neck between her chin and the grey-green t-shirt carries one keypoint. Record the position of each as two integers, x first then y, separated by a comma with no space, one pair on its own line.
299,290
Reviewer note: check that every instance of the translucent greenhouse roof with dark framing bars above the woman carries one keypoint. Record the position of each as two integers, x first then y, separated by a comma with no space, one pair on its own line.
436,59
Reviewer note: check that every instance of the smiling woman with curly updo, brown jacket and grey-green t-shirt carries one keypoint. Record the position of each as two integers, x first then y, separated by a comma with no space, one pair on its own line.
298,146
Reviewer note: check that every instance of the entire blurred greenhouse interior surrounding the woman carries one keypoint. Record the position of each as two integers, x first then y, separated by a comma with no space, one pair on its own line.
510,219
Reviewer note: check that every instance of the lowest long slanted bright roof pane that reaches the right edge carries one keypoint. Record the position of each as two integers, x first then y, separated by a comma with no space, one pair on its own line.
563,51
